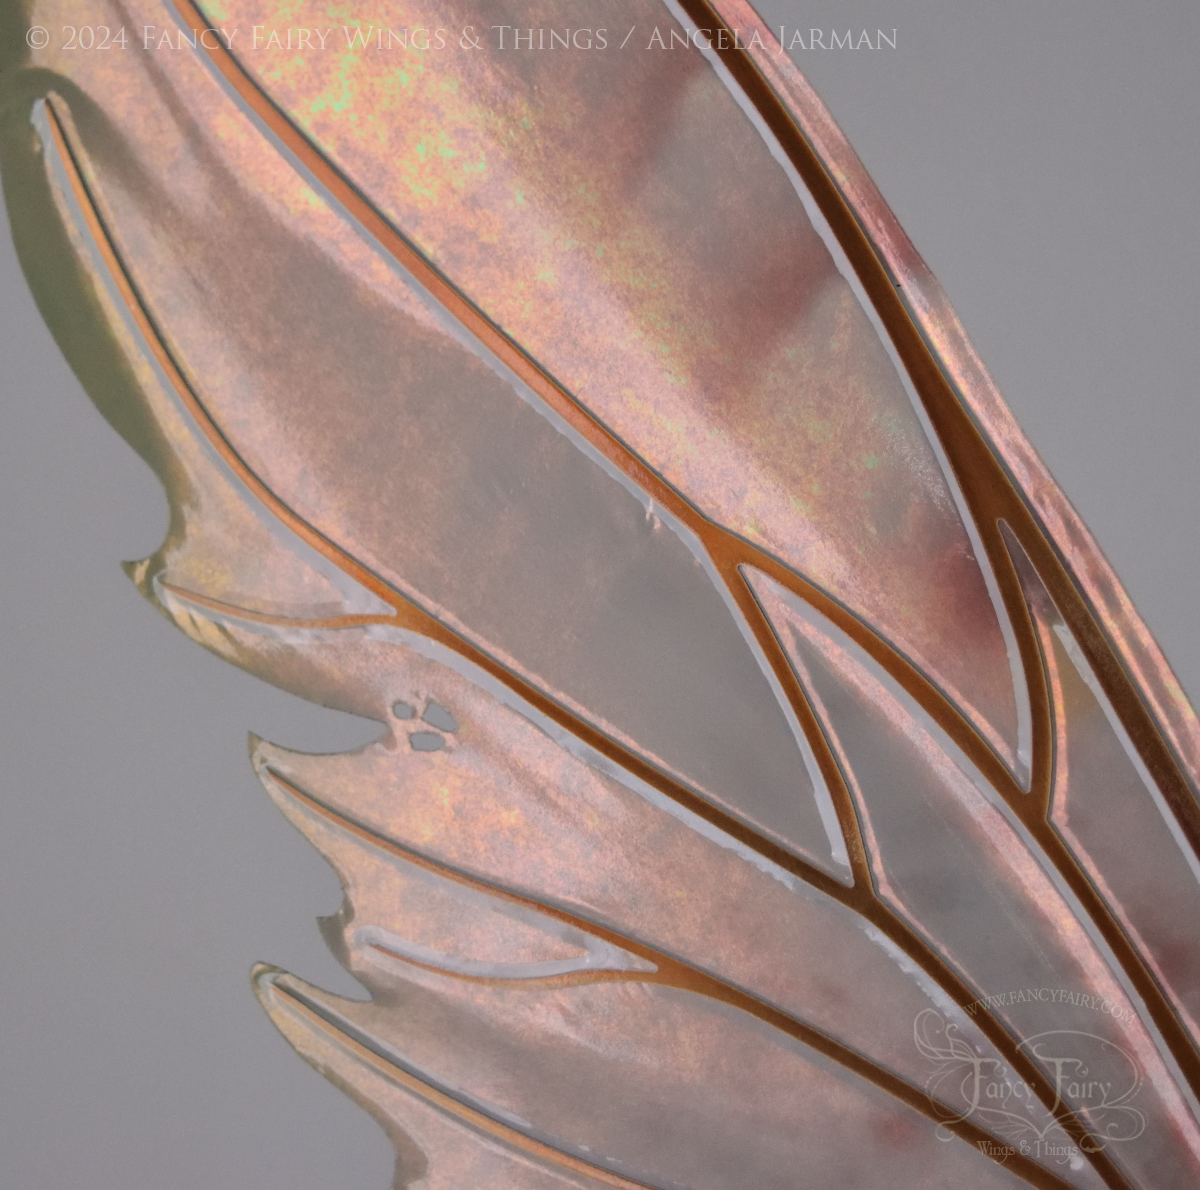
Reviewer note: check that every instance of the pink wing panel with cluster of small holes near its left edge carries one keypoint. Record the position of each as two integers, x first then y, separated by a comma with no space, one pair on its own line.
507,807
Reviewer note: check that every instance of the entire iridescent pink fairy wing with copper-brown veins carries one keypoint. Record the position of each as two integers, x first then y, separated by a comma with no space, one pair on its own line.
778,789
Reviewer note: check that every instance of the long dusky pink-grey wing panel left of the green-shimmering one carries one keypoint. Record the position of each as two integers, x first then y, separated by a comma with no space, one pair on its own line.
353,398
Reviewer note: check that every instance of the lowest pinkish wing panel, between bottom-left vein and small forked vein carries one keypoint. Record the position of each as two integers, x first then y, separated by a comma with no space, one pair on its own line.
746,1110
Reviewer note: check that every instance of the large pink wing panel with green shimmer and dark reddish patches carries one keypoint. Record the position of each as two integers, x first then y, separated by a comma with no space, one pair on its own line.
621,218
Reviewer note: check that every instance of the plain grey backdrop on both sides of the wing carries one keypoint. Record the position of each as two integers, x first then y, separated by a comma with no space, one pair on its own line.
1046,161
